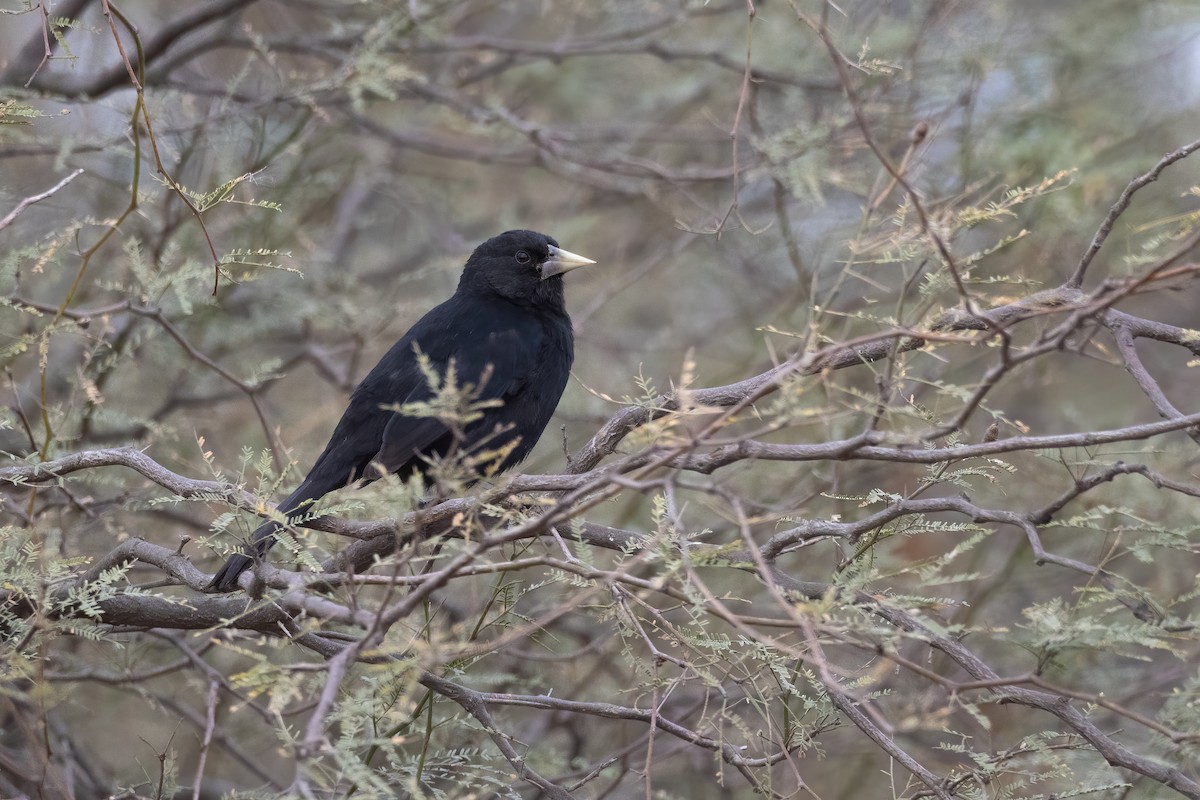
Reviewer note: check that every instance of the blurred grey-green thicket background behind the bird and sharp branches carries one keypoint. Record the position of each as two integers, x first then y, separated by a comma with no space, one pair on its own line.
341,160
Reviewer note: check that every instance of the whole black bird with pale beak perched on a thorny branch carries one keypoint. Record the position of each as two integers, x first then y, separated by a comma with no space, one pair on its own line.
505,330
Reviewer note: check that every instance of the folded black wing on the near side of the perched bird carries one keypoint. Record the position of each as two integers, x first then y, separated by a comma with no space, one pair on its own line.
497,364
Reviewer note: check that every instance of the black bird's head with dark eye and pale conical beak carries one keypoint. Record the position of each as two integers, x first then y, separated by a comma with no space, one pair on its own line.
524,267
